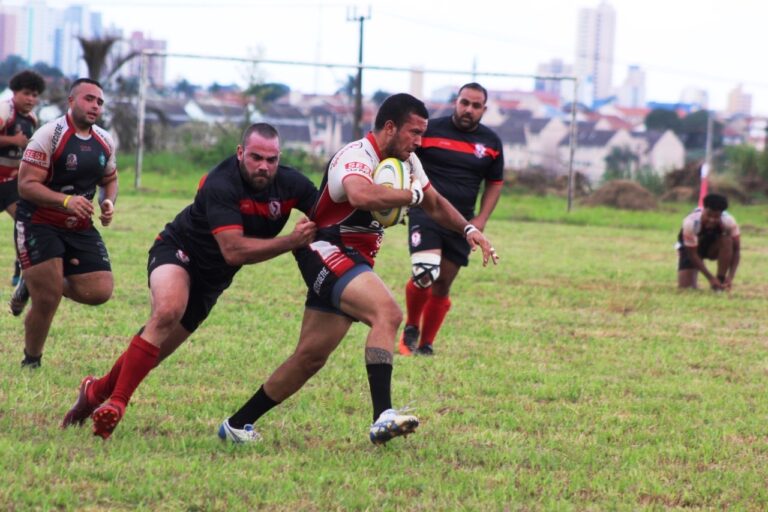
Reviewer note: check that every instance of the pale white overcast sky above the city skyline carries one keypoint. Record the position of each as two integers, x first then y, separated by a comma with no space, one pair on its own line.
710,44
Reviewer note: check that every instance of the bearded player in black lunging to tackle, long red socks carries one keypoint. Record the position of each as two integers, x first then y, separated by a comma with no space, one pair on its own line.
239,209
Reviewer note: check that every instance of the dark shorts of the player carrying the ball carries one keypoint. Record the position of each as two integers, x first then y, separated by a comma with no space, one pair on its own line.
327,269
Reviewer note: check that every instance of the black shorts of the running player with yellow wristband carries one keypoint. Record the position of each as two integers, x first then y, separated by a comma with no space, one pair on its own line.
81,251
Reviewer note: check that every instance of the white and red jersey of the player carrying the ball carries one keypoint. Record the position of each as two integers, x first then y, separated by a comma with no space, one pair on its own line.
337,221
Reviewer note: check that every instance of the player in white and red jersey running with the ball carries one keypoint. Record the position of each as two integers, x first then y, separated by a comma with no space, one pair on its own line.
338,269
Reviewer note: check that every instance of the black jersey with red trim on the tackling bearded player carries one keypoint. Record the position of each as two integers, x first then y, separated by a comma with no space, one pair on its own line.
225,201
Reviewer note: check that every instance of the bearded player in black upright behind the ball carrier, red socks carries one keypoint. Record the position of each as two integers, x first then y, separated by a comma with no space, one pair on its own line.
459,155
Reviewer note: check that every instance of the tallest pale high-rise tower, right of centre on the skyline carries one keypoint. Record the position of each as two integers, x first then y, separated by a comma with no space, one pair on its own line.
594,51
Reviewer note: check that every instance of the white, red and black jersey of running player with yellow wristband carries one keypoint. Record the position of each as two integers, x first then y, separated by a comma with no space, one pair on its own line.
75,165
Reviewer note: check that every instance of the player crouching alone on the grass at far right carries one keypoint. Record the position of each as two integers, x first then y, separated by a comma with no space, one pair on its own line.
709,233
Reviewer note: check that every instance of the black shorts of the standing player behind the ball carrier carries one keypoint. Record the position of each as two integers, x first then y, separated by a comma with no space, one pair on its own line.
425,234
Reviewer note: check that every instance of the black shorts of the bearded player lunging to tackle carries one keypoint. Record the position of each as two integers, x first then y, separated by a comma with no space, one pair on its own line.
204,287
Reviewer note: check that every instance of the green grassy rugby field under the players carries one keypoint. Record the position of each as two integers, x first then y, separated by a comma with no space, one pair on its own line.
573,376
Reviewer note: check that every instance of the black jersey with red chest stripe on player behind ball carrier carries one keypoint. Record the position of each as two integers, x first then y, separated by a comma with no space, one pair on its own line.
457,162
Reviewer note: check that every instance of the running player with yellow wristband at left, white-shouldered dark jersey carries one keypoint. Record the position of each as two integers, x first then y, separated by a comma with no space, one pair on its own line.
60,251
